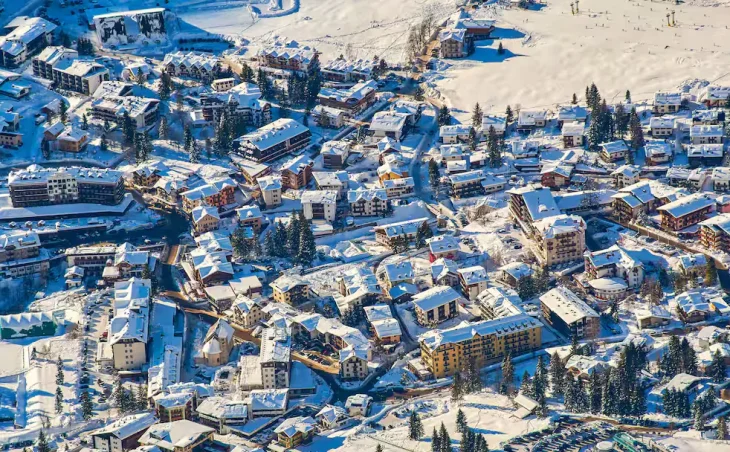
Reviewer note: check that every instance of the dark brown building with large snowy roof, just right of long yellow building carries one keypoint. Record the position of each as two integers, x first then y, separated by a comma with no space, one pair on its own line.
570,315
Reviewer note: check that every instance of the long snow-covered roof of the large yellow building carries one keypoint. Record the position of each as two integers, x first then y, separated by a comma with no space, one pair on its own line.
466,331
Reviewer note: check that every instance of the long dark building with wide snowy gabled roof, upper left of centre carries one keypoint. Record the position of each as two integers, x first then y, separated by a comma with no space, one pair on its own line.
273,140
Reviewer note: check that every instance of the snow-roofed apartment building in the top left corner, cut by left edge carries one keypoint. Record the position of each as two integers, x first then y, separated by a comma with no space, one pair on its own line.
23,37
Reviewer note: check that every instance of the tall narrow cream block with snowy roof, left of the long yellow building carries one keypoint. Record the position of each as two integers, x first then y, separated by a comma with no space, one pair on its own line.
275,358
